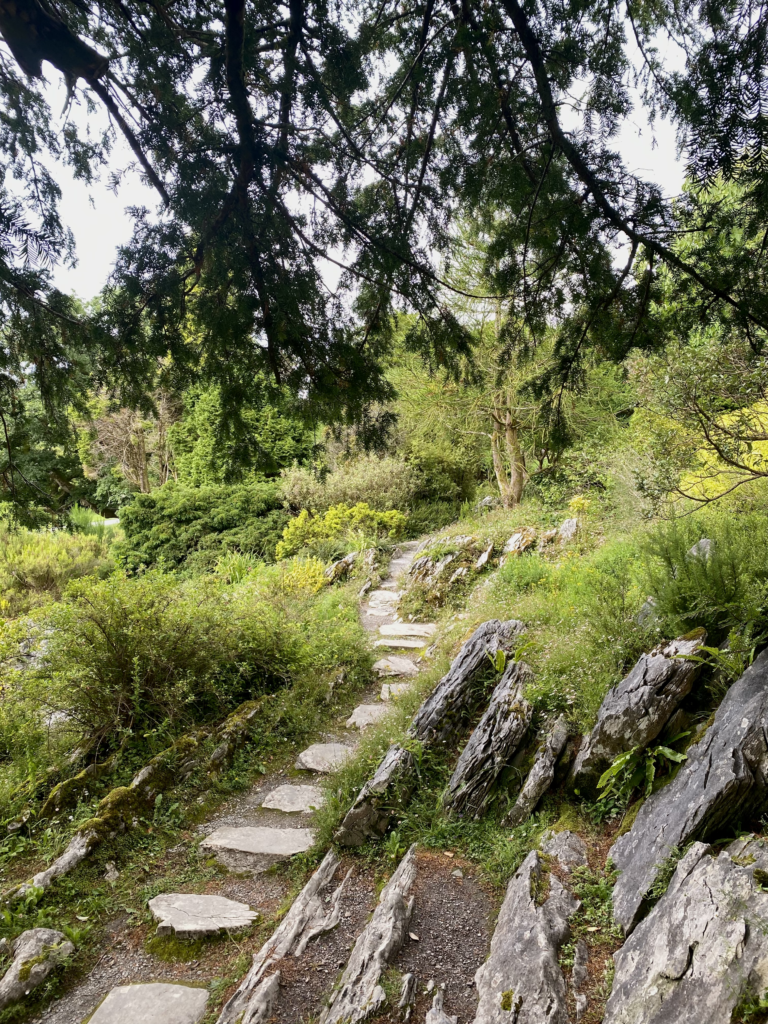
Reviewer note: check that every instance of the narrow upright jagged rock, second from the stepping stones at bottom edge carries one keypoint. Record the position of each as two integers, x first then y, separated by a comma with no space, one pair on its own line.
360,994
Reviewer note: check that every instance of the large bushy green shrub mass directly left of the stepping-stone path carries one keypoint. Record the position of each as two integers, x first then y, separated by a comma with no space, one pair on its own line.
140,660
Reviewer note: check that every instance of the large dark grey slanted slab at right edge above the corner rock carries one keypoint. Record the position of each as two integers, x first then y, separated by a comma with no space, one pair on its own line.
726,777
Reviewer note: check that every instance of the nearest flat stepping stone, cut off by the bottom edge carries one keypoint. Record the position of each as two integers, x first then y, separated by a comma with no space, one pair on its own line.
156,1004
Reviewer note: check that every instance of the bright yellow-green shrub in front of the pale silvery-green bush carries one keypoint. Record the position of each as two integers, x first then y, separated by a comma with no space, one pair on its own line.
359,526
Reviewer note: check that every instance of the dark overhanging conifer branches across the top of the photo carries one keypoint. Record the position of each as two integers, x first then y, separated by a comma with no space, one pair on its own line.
286,139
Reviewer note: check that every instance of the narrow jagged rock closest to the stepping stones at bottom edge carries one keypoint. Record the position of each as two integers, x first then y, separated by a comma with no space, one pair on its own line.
309,914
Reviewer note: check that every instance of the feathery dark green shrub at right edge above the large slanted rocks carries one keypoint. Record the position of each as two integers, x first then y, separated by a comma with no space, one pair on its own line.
723,589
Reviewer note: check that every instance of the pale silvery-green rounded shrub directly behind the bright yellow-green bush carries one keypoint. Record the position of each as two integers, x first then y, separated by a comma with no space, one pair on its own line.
382,484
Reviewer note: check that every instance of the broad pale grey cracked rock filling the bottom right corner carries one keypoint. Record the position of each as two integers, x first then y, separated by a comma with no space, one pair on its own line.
704,948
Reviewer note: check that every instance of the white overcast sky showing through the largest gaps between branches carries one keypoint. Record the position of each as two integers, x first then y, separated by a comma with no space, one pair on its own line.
100,223
